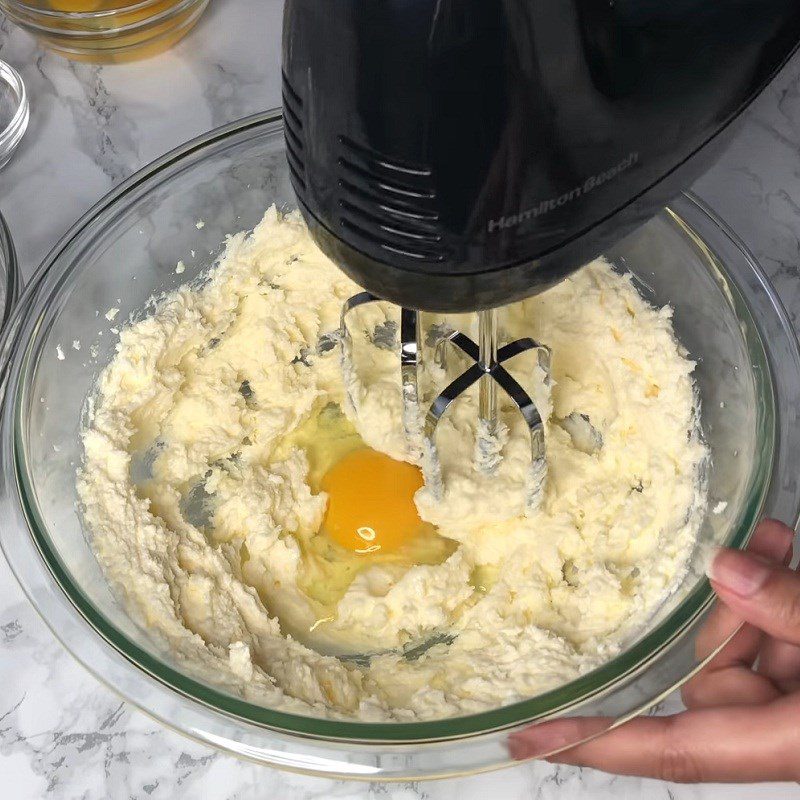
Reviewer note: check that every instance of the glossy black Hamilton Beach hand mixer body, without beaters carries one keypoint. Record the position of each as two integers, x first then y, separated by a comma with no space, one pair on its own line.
454,155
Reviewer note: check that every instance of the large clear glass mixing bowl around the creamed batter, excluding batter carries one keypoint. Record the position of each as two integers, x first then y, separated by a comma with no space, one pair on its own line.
180,209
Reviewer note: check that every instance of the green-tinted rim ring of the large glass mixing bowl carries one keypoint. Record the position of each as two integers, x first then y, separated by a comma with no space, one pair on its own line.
692,606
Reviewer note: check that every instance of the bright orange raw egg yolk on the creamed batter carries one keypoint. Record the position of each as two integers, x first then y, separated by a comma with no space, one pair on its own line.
371,502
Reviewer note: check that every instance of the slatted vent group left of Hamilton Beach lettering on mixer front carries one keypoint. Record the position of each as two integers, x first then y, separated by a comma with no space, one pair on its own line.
389,203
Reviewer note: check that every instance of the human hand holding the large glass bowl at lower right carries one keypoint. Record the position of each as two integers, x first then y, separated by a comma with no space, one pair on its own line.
743,718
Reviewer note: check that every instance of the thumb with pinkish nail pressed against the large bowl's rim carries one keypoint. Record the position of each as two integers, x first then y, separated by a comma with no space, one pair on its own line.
759,591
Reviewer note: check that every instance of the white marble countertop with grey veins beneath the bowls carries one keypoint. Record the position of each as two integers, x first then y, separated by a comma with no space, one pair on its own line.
63,735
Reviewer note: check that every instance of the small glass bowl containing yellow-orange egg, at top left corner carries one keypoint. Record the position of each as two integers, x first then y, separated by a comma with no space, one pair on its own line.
106,31
